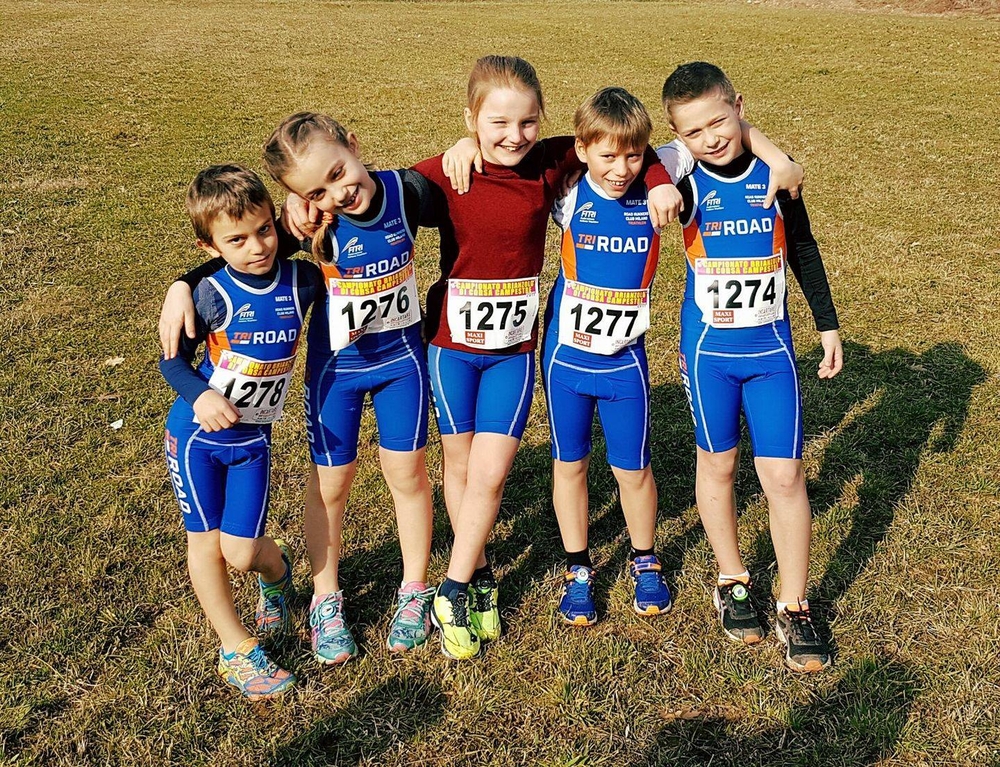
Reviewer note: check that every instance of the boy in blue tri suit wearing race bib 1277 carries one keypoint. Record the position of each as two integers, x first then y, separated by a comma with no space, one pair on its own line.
593,352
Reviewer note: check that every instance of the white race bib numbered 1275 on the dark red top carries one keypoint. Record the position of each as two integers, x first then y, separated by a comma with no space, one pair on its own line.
492,314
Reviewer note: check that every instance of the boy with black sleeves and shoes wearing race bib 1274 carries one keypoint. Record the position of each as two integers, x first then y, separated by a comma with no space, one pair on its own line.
736,352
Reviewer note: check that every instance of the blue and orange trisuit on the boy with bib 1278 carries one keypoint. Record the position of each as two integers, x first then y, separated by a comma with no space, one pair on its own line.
252,326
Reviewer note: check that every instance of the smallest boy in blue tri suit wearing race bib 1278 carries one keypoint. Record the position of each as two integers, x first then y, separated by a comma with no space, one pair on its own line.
218,432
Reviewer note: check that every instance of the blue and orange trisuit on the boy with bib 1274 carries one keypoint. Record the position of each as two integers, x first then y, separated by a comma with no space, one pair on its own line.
736,346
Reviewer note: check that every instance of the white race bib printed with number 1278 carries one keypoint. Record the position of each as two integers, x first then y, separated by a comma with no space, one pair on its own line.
257,389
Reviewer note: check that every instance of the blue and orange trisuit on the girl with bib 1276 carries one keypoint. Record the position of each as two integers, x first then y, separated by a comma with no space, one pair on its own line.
364,335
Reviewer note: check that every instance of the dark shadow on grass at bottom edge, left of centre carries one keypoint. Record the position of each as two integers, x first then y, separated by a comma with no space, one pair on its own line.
369,726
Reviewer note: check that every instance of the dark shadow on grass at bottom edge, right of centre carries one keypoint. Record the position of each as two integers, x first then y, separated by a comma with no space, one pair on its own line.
858,722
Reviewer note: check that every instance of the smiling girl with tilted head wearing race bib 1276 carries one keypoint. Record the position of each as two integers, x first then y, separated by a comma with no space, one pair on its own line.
364,340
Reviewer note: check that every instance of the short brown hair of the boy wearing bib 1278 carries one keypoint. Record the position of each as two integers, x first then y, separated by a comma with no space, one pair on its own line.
224,190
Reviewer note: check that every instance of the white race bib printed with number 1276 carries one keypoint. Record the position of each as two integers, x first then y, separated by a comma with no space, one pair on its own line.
371,306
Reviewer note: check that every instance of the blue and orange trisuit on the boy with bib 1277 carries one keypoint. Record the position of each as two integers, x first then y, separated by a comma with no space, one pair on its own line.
593,350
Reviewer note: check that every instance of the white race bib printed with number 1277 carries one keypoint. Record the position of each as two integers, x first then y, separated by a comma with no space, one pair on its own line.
602,320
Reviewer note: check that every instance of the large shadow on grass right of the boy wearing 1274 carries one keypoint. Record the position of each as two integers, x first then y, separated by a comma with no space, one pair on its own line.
883,412
